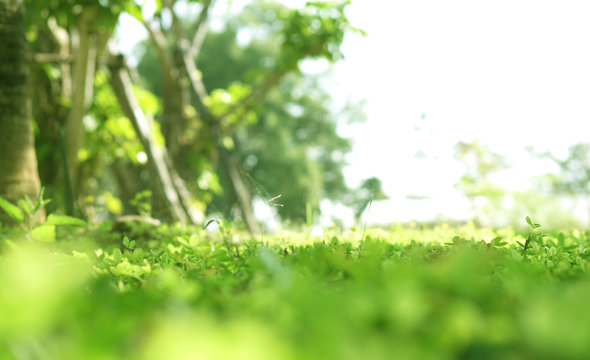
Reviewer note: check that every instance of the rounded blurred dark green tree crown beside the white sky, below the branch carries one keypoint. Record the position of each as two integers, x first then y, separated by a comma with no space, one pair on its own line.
294,149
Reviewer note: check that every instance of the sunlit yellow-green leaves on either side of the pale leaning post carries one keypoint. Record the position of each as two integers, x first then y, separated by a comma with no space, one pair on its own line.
111,143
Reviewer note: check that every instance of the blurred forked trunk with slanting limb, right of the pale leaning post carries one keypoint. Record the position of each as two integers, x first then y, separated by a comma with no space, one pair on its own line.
180,76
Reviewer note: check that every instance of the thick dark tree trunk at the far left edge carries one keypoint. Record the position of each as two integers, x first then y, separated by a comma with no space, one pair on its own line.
18,163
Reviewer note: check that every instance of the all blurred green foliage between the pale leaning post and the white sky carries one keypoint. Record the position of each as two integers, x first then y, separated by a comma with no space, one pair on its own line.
286,144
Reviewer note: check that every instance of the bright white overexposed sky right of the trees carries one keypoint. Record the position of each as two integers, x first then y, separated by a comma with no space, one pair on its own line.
508,73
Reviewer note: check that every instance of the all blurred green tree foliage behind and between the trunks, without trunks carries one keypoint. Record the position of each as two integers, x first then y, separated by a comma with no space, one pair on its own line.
279,39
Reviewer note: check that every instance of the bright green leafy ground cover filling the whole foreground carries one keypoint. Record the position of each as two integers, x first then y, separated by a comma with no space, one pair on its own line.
402,293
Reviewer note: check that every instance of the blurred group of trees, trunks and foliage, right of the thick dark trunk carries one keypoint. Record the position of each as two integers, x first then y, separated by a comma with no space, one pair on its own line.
211,120
